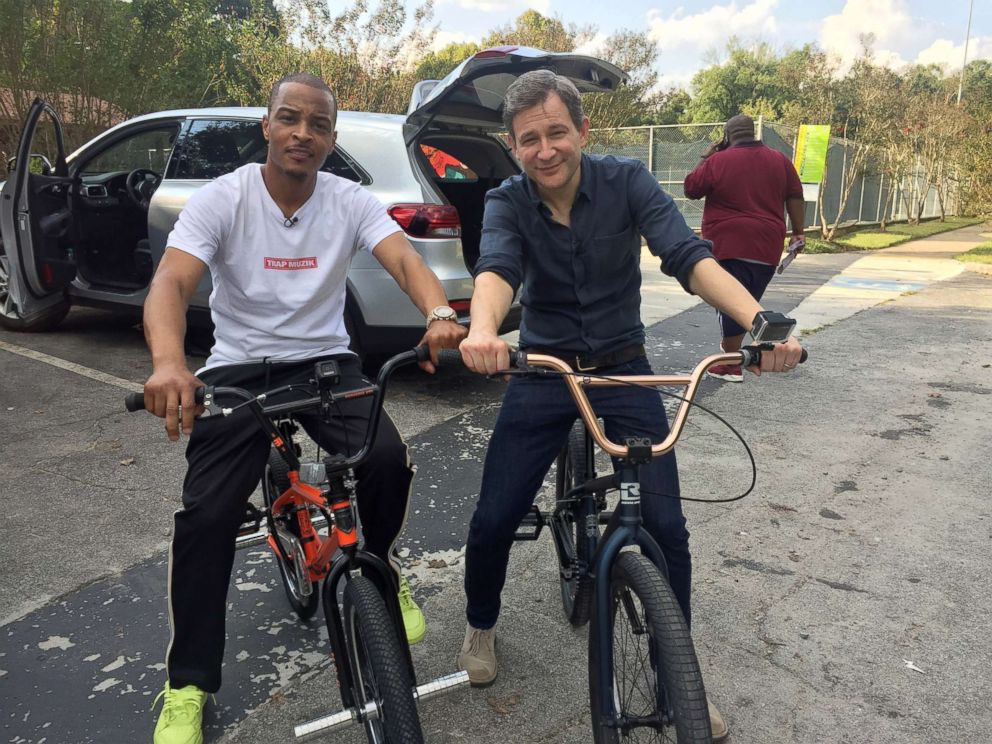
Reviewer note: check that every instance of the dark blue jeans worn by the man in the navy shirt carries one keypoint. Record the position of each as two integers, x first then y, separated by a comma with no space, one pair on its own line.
533,425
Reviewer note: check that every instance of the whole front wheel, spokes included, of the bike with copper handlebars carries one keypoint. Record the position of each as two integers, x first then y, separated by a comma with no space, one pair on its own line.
657,688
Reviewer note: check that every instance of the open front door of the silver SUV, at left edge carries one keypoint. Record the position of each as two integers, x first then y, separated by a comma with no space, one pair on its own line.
37,257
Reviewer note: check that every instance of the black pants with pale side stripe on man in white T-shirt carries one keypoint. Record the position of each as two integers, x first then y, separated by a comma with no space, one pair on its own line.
227,457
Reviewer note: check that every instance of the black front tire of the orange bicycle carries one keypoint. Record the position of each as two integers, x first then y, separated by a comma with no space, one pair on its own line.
376,656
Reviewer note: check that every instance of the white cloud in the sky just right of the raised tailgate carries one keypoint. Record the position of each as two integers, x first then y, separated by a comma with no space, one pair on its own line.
713,27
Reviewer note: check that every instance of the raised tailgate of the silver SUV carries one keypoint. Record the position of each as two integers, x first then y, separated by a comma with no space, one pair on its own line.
472,94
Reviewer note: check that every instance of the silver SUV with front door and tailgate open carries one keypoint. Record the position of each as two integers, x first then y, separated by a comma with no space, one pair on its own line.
91,228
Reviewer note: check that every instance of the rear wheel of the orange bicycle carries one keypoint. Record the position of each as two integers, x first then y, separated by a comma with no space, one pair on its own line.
292,566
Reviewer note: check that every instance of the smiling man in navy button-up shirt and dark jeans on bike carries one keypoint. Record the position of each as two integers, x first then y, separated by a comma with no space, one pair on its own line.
567,233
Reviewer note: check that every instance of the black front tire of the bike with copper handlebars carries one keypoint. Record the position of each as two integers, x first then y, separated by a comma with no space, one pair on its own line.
678,669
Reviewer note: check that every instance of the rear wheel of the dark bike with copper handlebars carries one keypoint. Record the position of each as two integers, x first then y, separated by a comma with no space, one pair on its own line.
576,587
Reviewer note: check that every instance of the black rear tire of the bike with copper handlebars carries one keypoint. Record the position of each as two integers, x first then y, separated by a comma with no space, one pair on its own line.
576,593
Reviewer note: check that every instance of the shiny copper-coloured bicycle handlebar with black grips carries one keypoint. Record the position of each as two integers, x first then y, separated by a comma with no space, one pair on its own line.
577,381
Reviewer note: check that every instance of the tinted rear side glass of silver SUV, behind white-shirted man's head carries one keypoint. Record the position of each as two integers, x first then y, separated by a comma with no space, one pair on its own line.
213,147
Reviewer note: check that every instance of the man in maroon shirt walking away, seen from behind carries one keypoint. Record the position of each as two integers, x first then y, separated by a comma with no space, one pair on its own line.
748,188
